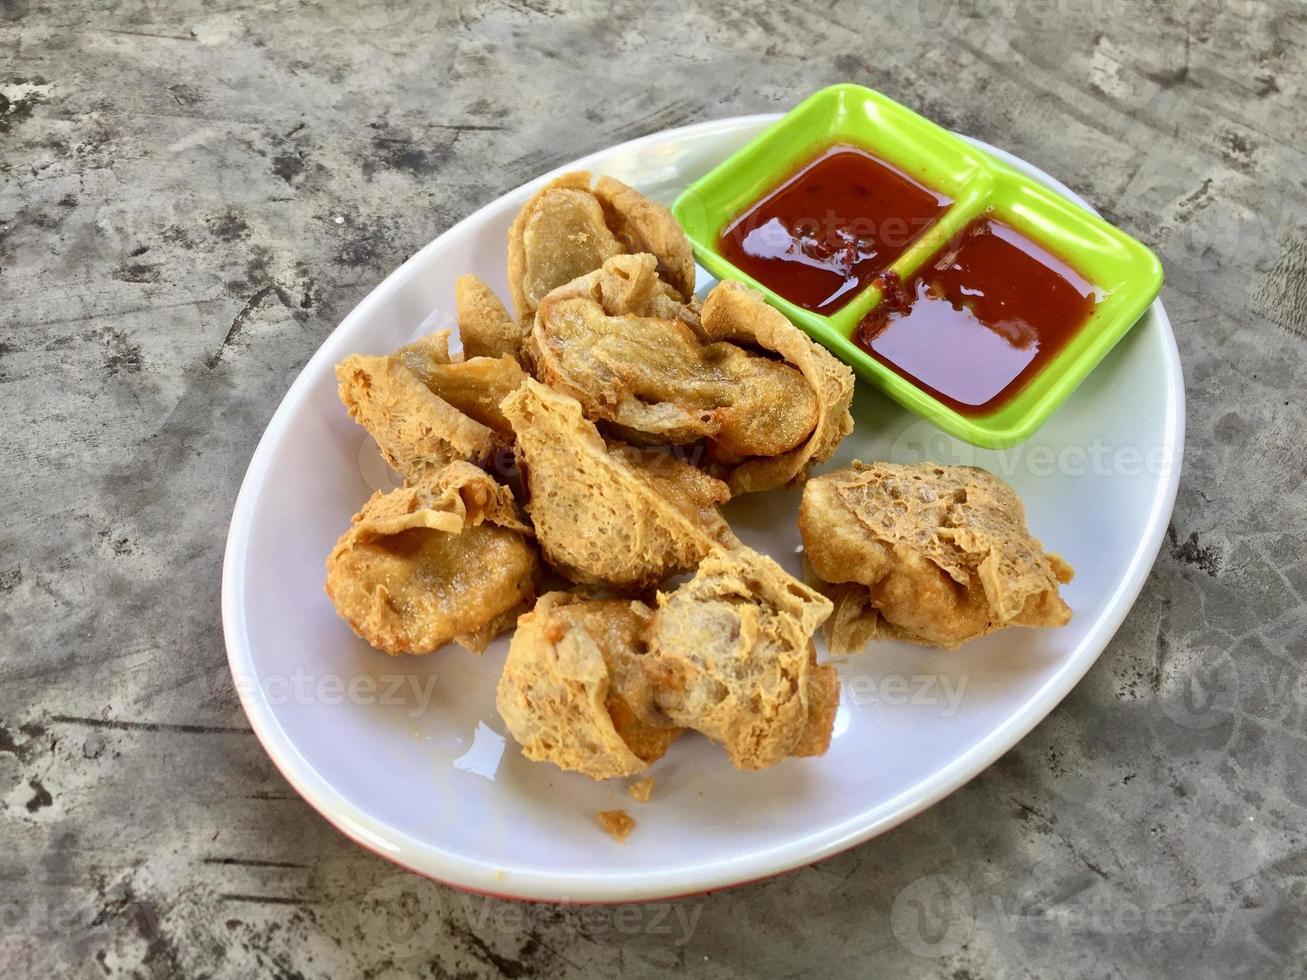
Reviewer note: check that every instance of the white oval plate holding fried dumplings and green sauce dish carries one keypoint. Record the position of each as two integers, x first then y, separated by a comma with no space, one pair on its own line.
407,755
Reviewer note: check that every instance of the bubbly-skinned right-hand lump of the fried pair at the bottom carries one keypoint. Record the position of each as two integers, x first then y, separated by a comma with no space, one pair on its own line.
731,655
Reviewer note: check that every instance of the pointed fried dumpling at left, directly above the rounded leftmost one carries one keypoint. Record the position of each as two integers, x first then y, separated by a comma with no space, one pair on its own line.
425,411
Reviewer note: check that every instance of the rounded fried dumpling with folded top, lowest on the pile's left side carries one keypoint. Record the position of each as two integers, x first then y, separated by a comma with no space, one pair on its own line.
438,561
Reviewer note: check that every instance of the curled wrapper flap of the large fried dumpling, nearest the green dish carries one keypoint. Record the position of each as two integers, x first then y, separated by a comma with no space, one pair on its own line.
735,313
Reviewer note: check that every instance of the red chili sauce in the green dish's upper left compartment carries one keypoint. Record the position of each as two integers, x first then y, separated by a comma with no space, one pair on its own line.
831,228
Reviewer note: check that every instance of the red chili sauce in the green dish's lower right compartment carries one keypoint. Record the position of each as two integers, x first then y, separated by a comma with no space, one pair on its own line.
978,323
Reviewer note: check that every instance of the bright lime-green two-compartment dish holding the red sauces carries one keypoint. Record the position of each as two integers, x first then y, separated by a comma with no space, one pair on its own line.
1123,274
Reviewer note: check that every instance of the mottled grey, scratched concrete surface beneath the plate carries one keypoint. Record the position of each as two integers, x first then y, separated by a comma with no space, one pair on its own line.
193,198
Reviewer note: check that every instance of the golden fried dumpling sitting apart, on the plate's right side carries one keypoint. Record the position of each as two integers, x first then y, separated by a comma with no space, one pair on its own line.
927,553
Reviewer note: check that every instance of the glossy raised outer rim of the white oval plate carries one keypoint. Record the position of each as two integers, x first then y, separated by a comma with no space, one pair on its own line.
483,879
